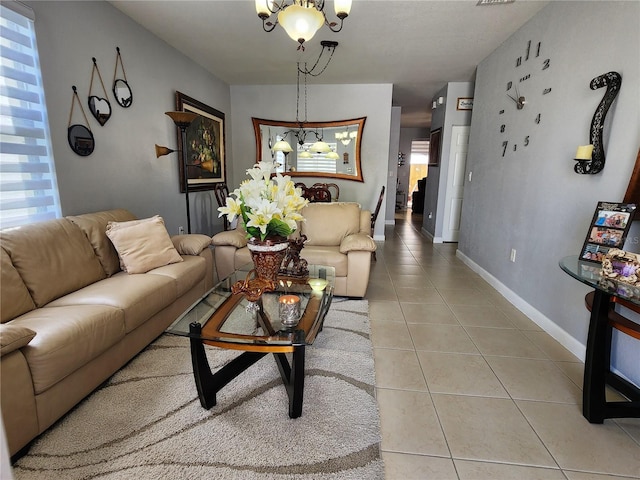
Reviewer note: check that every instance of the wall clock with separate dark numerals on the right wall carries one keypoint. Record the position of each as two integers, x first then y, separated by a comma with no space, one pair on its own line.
521,106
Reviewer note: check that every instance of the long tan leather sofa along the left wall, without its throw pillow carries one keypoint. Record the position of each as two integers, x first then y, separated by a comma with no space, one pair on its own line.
71,318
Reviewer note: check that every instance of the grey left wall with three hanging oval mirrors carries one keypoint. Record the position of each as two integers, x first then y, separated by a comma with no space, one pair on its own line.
123,171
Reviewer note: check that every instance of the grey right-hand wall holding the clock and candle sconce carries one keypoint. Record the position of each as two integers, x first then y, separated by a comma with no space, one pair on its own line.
532,200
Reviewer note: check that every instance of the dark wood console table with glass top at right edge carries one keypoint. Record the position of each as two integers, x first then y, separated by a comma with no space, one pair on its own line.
603,319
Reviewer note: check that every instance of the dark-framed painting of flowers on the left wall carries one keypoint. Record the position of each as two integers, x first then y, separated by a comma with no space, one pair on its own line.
206,161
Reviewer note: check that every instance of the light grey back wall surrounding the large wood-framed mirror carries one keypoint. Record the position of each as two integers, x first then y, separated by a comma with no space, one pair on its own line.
324,103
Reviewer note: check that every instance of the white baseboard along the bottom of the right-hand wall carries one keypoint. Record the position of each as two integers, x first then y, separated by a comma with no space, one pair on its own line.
544,322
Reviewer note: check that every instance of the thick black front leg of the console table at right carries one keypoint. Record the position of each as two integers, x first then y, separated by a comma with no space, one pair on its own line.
596,359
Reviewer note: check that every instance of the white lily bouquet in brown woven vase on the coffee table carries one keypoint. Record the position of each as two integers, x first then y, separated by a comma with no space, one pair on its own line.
270,209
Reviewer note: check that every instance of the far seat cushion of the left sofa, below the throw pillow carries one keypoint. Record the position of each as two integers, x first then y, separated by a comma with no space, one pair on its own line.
139,296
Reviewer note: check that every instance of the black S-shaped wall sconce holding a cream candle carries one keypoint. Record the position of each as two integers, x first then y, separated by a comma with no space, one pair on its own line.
594,158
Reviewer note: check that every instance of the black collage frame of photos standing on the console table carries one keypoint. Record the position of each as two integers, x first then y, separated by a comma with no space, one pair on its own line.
608,229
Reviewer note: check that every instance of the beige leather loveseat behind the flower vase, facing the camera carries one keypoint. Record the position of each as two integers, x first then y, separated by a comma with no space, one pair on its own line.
338,235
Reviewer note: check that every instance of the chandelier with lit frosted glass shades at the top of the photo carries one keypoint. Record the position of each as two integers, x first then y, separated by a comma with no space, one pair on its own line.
301,19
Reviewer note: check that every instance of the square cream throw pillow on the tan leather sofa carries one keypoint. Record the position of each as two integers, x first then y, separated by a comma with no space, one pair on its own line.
142,245
